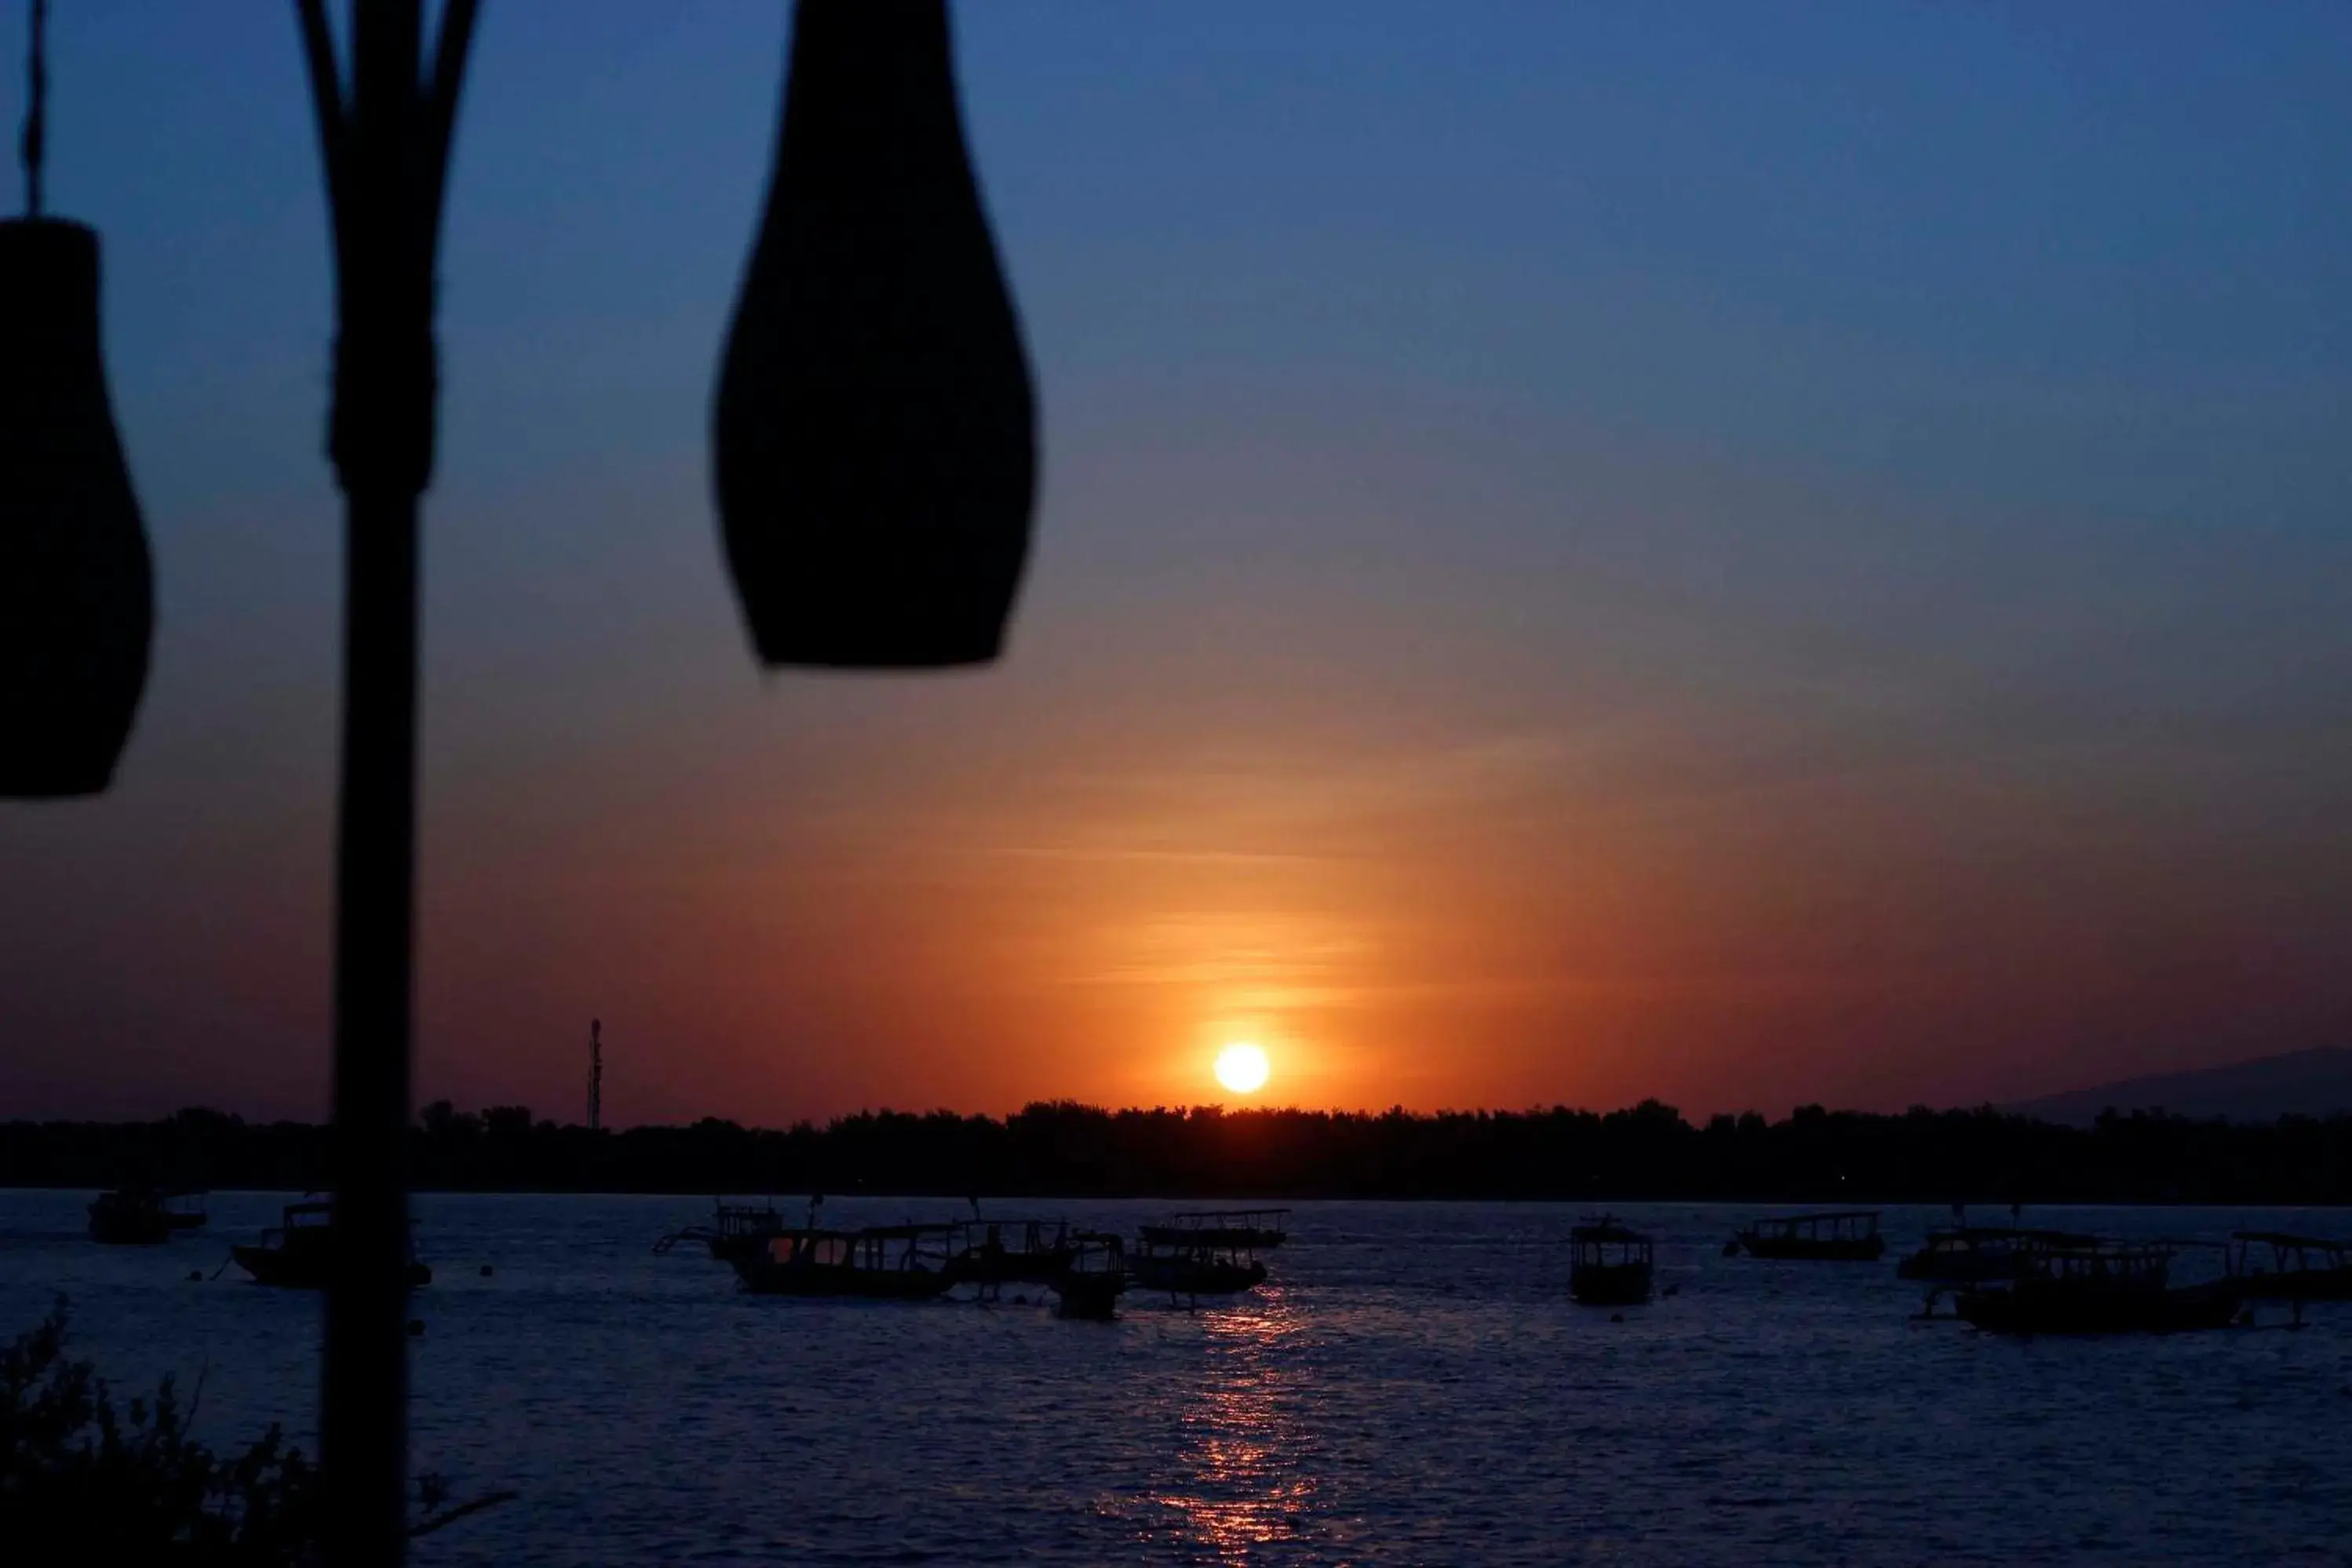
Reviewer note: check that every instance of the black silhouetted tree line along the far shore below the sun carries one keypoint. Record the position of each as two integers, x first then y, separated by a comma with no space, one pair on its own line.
1081,1151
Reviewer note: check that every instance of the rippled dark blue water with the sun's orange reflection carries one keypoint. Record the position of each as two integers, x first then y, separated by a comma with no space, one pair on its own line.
1410,1388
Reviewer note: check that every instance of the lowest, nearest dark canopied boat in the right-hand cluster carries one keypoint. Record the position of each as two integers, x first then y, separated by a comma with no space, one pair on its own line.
2099,1289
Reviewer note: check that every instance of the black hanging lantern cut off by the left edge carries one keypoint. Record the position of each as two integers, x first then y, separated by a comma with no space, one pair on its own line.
76,589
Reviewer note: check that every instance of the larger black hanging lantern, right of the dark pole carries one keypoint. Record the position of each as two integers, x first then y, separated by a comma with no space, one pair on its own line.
874,436
